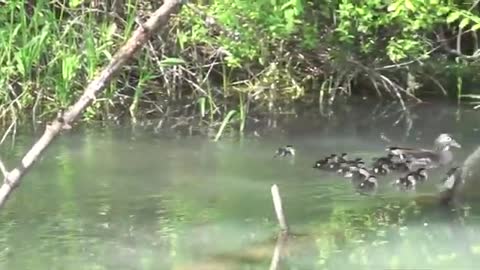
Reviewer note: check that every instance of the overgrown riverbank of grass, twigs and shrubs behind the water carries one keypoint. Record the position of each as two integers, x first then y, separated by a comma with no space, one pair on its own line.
215,68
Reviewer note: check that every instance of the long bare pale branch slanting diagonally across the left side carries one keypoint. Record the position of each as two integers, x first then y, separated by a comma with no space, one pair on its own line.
139,37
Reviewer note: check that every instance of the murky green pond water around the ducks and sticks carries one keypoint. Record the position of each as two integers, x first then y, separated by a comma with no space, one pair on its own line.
118,198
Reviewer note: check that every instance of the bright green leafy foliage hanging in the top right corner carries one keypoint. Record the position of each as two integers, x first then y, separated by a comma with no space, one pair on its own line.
400,28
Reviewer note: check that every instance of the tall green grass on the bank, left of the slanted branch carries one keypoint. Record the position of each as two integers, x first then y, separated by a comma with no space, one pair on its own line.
49,51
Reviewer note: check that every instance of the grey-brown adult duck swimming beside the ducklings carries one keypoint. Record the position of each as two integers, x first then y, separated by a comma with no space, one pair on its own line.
439,156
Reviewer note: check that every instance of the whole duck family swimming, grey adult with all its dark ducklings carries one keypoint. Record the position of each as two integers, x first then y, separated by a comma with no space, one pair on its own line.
412,163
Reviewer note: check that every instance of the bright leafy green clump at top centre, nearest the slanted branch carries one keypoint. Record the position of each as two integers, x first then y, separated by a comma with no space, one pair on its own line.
245,30
